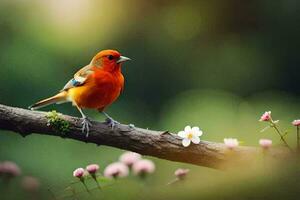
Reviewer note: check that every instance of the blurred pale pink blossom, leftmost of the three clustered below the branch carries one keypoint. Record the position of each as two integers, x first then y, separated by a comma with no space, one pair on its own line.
117,169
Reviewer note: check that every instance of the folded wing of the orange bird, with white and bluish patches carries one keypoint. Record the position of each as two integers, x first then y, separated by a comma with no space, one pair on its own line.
79,78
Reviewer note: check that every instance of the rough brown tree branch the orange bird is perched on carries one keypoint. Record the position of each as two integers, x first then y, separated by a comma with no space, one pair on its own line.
160,144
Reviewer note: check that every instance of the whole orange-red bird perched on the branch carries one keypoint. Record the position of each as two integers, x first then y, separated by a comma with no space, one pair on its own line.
95,86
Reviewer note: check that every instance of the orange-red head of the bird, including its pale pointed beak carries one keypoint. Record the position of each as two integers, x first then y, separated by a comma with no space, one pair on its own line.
109,60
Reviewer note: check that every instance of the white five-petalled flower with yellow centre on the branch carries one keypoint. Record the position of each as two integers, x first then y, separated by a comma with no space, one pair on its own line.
190,134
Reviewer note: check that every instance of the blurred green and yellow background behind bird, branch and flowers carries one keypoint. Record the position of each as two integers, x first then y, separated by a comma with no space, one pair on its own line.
214,64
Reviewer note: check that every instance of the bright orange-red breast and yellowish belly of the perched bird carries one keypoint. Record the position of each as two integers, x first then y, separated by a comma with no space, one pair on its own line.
100,89
